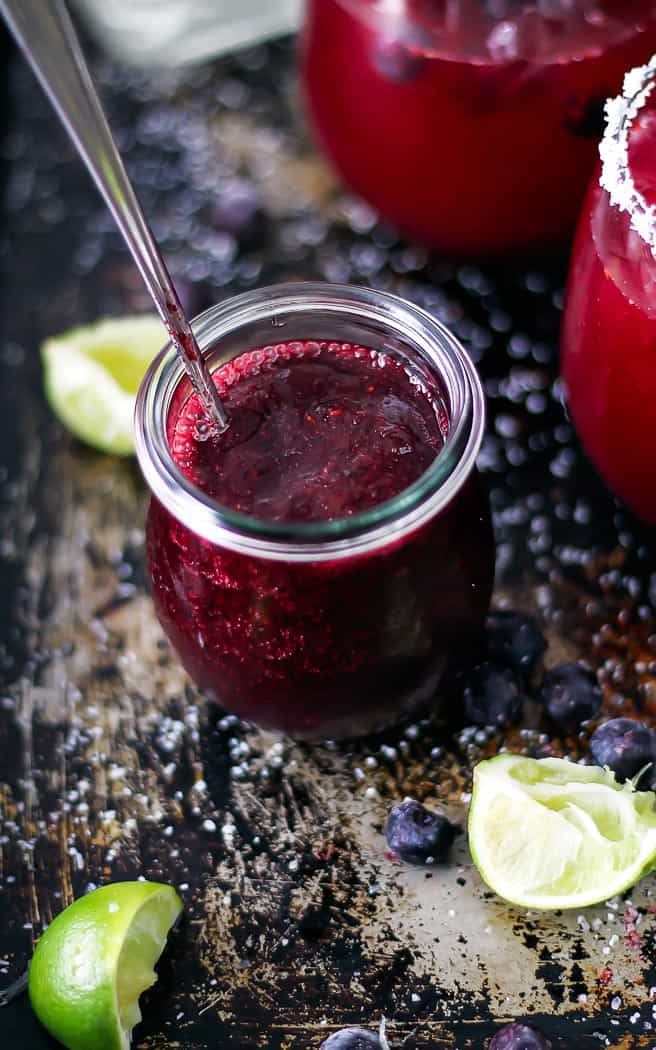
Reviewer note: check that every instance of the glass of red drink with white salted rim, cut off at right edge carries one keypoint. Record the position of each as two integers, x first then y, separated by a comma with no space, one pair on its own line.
609,329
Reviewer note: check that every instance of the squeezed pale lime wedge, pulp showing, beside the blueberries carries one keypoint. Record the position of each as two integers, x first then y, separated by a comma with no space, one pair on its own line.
549,834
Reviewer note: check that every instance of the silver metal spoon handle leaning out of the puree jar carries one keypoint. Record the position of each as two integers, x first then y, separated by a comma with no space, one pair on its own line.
47,36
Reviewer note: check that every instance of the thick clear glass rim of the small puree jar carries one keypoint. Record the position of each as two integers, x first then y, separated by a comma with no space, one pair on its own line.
326,540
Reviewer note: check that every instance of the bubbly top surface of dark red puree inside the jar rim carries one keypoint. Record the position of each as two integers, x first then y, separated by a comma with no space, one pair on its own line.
318,431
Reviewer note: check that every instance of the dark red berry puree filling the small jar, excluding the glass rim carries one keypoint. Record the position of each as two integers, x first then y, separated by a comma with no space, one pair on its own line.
320,645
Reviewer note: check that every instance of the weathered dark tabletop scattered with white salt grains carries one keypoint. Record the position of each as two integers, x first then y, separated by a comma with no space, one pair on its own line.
112,766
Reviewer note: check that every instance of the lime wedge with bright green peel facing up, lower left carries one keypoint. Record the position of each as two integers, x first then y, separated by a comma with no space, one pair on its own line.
96,959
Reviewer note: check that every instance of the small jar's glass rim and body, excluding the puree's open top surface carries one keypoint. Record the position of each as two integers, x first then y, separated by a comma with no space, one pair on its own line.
333,628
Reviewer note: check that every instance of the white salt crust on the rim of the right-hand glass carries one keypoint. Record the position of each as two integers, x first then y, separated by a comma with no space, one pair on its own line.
616,177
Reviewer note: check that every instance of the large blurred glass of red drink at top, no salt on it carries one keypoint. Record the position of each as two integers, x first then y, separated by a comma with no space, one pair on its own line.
472,127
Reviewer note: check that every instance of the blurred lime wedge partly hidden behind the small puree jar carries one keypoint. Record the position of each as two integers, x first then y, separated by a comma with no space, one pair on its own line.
93,375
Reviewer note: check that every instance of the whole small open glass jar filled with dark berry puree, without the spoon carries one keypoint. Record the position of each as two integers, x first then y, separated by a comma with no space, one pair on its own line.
315,565
